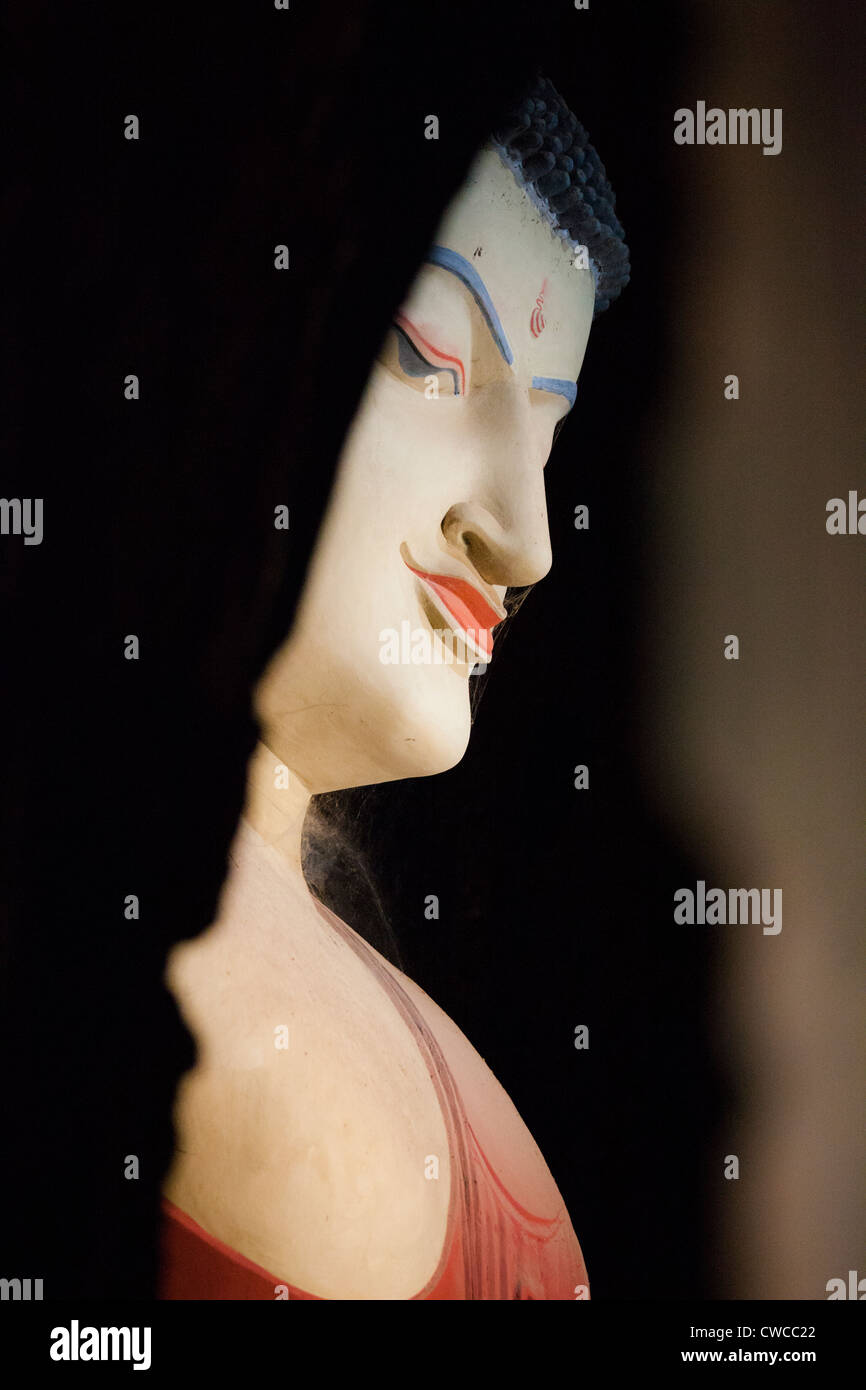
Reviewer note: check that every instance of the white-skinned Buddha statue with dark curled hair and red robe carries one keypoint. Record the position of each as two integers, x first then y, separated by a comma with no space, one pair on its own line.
340,1136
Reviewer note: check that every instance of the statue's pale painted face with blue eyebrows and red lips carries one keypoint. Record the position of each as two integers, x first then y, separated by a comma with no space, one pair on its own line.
439,504
